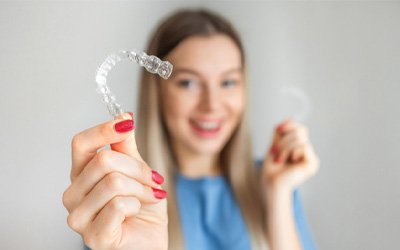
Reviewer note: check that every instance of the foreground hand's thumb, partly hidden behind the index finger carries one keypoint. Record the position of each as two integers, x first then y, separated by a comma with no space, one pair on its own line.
128,146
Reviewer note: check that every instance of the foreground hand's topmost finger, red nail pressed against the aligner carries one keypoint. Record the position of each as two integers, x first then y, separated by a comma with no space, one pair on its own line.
86,143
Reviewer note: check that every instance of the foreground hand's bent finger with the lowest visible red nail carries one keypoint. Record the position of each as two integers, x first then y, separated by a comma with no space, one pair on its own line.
114,184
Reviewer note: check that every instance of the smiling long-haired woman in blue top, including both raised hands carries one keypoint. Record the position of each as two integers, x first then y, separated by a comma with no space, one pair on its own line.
193,131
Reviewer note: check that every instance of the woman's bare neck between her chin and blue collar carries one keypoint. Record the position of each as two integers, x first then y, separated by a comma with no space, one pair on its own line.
197,165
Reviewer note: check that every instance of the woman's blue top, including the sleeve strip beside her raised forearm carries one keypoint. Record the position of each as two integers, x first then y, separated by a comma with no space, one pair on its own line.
211,218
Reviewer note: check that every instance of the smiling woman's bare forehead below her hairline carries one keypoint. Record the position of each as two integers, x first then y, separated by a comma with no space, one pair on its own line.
209,55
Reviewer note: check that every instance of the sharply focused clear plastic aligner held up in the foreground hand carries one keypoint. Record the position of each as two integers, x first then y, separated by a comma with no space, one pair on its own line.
152,64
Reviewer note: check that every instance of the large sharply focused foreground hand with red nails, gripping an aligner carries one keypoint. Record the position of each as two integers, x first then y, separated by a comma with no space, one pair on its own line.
115,200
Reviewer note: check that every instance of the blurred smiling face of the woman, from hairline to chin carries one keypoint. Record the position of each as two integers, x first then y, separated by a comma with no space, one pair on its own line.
203,100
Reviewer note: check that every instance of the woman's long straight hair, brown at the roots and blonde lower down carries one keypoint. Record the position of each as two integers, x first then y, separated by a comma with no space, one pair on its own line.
154,142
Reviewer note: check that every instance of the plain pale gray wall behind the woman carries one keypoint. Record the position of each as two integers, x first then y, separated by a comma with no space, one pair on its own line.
344,55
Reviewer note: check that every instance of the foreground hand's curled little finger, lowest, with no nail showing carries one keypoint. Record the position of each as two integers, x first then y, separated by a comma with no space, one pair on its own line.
110,219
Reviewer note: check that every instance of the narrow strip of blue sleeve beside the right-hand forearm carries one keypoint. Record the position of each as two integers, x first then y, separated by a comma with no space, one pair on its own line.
301,223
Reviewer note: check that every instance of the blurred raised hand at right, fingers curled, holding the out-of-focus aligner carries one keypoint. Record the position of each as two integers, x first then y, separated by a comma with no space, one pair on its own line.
291,159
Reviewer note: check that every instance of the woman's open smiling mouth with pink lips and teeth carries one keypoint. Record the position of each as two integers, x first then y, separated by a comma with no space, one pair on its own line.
207,129
